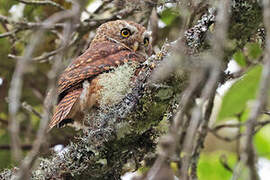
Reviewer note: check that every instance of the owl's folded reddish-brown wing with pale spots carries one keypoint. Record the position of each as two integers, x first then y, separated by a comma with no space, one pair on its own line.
99,58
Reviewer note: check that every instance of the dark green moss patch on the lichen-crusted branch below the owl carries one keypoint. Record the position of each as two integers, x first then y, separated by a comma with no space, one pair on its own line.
154,104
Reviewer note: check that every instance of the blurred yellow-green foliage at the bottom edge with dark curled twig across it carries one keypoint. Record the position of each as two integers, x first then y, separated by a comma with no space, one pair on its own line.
210,167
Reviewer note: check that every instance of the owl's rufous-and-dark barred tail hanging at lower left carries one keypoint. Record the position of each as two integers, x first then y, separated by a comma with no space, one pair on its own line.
64,107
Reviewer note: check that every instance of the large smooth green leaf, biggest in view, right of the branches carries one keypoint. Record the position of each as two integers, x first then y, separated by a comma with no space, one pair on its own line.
234,101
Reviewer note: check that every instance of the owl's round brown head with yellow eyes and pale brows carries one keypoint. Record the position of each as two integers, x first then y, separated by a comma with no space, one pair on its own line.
132,35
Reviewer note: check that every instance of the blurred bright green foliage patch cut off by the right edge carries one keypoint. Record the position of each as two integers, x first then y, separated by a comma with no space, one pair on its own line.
262,142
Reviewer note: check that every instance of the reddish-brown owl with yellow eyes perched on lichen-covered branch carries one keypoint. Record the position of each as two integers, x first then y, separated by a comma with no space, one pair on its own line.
116,43
